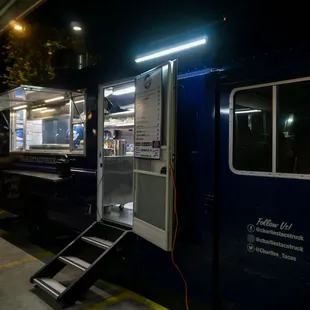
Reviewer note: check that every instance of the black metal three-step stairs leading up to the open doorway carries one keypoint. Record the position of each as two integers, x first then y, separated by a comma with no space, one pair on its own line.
107,241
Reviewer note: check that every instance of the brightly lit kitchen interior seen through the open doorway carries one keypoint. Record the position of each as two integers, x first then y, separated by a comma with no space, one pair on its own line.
118,150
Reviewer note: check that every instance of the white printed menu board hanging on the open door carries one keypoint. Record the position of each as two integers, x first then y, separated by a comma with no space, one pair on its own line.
148,115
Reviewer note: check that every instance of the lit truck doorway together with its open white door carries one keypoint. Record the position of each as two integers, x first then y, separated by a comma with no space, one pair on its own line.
136,135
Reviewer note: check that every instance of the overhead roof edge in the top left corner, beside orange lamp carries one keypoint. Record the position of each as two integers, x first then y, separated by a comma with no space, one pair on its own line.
15,10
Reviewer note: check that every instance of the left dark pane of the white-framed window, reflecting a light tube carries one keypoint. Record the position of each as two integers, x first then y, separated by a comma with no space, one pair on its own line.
252,130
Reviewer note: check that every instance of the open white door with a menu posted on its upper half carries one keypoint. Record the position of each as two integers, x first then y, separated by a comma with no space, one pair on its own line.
155,109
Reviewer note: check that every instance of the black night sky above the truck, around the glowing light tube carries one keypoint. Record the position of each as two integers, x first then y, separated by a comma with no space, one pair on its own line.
119,31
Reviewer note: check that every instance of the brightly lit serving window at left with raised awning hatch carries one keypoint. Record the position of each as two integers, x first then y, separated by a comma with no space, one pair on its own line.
46,121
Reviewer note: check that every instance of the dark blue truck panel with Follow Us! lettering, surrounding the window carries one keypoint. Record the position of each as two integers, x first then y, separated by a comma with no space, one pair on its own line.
262,266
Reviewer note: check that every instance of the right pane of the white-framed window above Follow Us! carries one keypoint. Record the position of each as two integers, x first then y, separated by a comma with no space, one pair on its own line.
293,128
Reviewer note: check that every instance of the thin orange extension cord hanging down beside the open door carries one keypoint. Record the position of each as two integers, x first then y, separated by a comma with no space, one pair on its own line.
175,236
